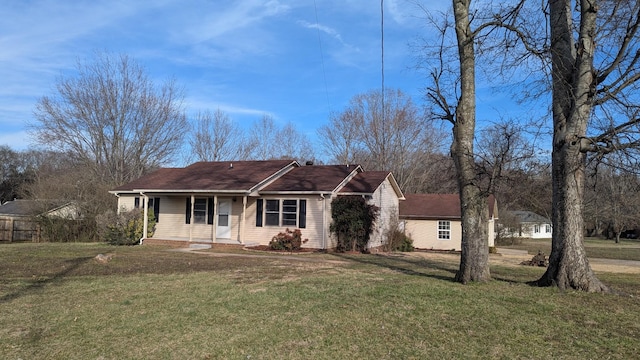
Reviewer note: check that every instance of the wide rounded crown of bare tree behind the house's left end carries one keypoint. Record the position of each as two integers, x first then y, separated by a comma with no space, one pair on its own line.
112,118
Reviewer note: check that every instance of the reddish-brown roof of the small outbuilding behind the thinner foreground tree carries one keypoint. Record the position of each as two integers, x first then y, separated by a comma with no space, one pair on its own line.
435,206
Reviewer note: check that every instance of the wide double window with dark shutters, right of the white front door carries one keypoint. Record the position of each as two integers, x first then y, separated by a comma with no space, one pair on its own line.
292,213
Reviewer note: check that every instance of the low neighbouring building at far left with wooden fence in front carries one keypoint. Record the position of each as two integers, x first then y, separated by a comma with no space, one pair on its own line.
17,217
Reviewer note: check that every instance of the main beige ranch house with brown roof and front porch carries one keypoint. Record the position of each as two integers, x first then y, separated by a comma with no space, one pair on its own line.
249,202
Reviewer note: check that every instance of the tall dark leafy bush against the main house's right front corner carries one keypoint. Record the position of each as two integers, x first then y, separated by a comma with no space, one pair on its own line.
353,221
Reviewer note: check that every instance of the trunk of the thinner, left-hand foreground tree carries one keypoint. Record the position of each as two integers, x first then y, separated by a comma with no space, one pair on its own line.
474,260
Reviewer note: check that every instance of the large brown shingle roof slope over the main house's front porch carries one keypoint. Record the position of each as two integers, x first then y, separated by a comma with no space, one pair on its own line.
213,176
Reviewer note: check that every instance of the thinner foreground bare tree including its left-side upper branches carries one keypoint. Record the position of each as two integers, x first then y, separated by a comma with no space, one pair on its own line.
474,259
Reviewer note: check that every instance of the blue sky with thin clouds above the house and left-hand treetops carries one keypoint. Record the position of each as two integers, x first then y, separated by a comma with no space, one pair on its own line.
297,61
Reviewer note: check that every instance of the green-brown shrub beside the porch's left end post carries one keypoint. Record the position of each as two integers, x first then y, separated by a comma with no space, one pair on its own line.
125,228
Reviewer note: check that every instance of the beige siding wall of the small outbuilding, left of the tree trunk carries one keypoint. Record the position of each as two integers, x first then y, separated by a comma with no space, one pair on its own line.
425,234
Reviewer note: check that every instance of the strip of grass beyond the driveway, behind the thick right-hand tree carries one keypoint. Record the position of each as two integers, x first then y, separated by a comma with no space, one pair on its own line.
596,248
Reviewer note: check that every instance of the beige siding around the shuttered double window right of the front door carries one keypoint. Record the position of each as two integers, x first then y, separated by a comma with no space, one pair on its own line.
262,235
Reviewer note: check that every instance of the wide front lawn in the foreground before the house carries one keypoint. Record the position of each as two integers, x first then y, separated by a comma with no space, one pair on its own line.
57,302
